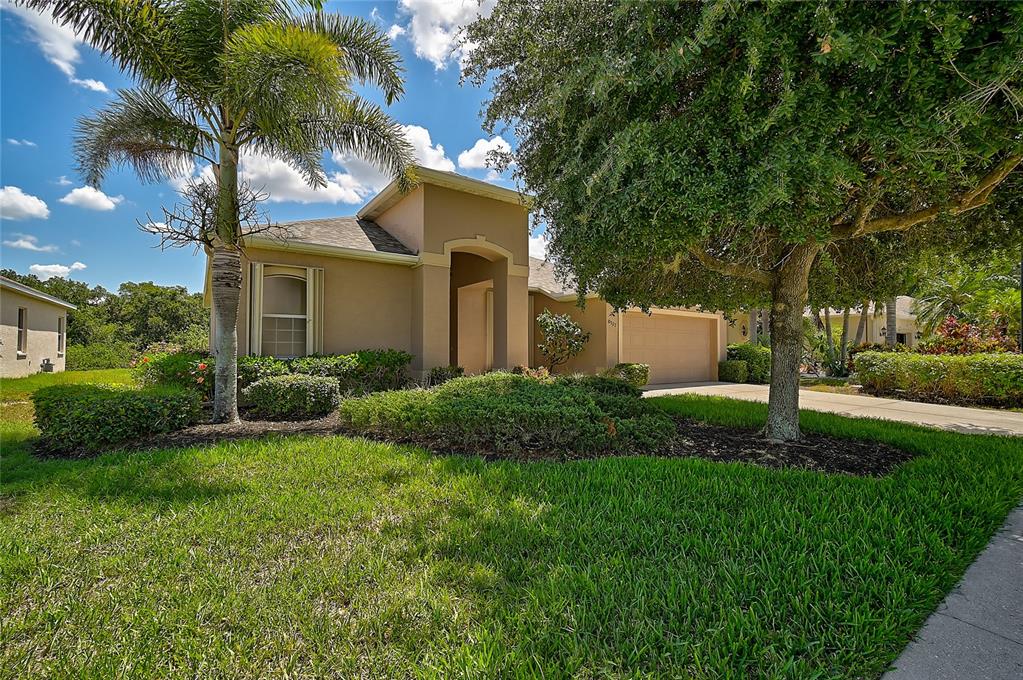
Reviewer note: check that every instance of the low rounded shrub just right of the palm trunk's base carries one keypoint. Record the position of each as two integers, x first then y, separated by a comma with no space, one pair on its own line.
293,397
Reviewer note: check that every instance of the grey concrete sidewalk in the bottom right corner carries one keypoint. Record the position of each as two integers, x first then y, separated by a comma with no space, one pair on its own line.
977,631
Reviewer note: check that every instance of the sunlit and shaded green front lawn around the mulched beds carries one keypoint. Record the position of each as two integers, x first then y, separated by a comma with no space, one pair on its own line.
336,557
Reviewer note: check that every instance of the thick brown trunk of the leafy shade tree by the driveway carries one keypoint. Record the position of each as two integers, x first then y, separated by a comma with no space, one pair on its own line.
788,301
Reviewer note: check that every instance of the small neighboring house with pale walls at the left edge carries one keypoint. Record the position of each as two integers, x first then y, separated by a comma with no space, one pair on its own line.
33,331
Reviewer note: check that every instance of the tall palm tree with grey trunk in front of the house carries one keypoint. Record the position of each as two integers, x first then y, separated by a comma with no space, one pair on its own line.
218,77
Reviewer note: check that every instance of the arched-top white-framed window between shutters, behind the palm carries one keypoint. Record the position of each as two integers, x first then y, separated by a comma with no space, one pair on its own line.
284,316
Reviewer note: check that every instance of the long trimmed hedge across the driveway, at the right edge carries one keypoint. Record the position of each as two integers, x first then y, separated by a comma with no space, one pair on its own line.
995,380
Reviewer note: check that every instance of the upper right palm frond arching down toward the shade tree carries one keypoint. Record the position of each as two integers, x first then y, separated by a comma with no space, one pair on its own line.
365,51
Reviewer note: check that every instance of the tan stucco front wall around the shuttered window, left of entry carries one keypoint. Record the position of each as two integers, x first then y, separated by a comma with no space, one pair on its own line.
367,305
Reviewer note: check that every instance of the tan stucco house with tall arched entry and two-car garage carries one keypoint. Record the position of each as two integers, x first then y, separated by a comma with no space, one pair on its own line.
444,274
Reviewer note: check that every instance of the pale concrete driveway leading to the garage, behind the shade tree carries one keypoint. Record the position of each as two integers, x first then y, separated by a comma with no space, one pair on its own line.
970,421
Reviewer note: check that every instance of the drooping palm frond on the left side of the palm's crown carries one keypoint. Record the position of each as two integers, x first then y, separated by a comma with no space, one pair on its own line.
141,128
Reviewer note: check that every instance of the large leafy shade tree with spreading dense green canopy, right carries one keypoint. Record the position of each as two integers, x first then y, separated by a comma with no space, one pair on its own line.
713,153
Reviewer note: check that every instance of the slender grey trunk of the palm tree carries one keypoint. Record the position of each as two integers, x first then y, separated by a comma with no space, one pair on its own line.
227,288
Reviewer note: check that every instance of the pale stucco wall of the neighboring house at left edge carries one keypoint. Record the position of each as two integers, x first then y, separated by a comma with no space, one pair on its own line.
42,340
